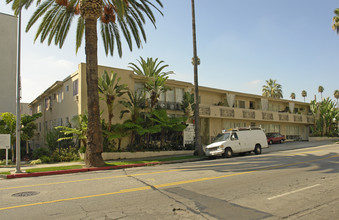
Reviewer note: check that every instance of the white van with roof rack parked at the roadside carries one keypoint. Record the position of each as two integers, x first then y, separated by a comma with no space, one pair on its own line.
239,140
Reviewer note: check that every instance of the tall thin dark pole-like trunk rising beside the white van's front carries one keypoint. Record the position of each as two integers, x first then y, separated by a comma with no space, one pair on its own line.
196,62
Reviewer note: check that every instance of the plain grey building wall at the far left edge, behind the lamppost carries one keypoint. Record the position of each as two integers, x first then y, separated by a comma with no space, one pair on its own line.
8,48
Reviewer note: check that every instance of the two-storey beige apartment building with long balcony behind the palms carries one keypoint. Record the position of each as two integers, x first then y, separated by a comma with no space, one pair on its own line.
219,109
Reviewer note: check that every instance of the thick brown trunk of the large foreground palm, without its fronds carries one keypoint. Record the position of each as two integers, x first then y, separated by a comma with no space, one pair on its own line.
94,149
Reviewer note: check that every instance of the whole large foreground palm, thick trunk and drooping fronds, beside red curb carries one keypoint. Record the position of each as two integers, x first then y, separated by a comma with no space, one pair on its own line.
113,15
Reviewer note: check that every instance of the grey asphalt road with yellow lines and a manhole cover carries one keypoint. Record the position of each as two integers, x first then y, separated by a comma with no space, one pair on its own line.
288,181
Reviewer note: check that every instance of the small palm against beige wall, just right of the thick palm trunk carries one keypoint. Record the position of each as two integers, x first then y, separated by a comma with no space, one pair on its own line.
110,88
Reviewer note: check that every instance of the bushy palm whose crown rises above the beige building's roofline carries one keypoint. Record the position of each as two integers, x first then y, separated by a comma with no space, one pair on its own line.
156,79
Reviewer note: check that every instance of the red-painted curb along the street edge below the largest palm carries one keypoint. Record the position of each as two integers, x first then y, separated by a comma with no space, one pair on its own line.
47,173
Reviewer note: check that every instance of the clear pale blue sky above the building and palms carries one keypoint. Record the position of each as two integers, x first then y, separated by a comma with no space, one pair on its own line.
241,44
